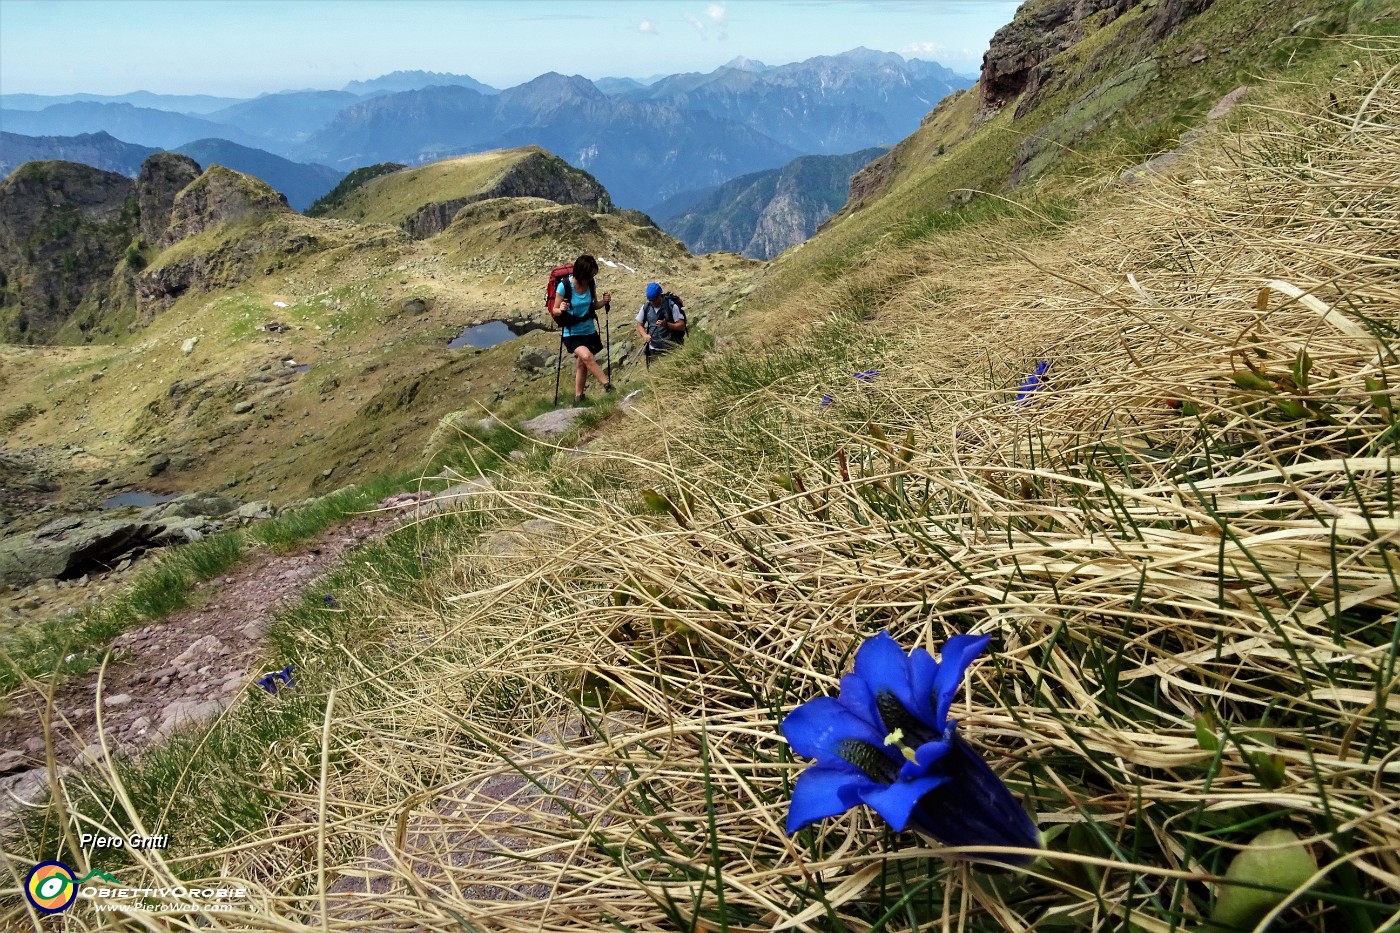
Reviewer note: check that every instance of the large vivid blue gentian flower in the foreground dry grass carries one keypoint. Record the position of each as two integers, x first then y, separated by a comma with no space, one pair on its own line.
887,743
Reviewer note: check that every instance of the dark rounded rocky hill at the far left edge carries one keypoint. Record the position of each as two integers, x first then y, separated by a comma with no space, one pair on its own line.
64,228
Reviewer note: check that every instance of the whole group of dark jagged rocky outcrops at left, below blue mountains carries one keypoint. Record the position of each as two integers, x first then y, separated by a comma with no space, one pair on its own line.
75,240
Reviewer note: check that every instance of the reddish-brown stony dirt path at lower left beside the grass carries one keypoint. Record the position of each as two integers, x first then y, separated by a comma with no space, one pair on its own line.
178,670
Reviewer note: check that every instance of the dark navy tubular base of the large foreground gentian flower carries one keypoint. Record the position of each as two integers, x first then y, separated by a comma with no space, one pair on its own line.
975,808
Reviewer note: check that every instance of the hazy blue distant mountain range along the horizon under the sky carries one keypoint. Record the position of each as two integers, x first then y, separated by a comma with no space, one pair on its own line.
643,139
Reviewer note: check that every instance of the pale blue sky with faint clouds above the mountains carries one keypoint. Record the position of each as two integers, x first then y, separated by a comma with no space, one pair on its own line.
240,48
